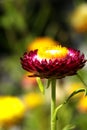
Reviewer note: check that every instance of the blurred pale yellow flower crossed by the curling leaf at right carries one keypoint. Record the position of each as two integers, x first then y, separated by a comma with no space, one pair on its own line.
74,86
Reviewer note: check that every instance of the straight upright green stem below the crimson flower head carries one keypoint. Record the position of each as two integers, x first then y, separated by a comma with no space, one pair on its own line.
53,104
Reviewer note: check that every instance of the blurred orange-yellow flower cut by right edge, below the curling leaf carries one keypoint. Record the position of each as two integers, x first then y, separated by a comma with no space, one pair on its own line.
82,104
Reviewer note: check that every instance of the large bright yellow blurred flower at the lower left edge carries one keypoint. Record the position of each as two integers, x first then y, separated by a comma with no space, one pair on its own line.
11,110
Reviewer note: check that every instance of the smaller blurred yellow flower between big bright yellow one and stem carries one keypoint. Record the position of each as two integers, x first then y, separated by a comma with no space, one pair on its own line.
33,100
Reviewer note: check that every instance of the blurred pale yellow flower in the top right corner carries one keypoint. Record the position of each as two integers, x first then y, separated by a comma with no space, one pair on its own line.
79,18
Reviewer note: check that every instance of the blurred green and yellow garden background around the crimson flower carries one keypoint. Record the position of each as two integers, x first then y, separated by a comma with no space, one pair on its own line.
26,24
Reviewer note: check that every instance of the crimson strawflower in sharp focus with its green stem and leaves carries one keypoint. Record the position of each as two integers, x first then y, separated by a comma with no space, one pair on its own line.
53,62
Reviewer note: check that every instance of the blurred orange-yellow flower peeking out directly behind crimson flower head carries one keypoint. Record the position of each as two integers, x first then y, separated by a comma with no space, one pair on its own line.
41,42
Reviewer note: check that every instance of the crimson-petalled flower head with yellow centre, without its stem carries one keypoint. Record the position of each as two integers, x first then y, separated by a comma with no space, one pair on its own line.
53,62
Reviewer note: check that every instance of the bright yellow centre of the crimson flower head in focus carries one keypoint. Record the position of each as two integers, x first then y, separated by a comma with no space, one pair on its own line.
52,52
